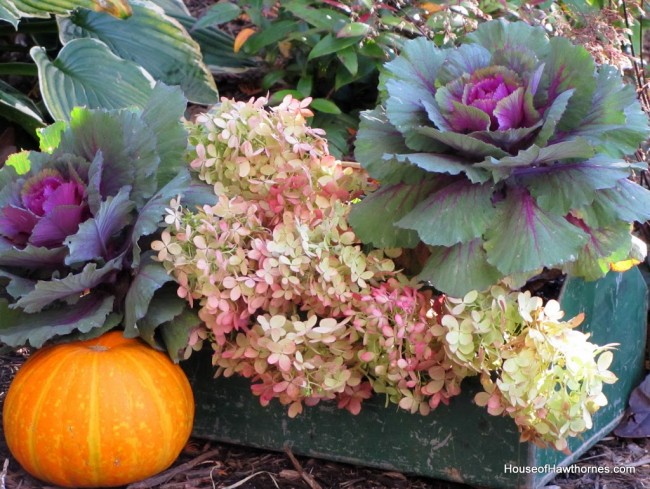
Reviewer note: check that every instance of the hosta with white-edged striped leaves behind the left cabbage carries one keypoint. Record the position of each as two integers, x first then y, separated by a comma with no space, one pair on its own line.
102,55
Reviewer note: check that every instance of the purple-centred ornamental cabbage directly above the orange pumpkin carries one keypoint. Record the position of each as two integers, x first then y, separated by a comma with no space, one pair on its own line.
74,216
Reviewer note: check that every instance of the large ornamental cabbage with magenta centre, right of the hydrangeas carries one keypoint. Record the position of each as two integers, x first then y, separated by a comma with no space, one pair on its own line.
503,156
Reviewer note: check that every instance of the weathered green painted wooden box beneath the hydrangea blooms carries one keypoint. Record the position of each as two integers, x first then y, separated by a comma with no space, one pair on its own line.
459,442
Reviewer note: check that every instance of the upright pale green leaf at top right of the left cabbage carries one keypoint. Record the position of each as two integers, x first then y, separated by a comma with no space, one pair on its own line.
163,115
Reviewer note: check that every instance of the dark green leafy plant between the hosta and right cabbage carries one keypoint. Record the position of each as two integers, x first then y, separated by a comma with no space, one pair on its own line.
329,51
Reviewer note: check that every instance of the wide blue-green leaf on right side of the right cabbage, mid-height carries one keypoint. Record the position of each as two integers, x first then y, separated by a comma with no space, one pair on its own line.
563,187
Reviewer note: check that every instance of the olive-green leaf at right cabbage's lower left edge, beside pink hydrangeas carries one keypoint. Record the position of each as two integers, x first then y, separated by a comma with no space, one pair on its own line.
374,218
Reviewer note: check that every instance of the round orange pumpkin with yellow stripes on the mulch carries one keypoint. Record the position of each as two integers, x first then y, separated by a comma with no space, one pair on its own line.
98,413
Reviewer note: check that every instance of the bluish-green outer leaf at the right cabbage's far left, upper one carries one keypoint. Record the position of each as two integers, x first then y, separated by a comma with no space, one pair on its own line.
377,140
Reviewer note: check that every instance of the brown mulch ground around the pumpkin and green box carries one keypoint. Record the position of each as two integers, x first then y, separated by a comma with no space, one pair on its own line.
210,465
